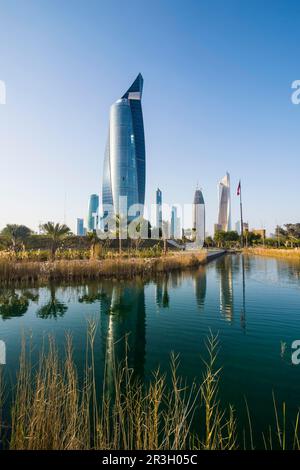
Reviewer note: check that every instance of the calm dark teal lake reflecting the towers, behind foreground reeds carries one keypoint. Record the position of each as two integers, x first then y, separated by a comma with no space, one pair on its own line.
253,303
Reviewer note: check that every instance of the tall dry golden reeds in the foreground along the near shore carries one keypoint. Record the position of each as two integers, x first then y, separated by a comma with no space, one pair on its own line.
163,413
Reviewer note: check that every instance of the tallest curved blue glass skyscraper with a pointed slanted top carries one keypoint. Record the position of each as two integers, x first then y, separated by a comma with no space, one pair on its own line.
124,163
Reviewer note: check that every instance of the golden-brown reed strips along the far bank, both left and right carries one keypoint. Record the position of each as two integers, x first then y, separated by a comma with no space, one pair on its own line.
78,265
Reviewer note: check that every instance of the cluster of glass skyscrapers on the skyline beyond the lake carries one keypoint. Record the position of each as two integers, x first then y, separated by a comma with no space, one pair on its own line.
124,176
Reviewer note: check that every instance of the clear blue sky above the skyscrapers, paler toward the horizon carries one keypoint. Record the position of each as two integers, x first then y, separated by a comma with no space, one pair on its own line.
217,98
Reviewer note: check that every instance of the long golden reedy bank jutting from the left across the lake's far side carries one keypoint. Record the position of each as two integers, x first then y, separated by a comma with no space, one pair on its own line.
77,270
